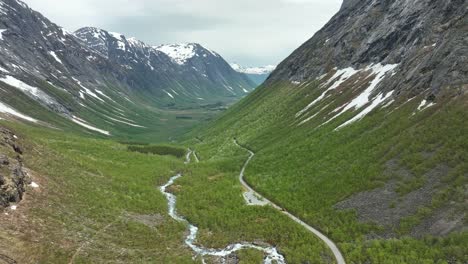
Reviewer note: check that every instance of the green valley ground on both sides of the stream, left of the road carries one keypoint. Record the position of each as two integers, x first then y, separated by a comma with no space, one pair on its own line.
98,200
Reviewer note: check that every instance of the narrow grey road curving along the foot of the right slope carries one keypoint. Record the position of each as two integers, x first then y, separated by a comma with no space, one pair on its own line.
336,252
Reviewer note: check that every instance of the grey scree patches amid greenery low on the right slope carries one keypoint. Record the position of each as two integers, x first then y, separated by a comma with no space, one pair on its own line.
386,207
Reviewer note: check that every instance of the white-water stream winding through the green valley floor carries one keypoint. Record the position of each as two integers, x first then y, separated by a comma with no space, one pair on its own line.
271,253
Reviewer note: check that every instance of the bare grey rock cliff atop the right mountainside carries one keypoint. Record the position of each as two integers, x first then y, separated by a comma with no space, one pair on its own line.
426,38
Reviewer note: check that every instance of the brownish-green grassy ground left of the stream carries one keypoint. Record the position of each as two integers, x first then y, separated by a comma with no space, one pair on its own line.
92,194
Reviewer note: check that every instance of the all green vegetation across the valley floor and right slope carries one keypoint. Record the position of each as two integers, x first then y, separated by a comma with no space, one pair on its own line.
100,201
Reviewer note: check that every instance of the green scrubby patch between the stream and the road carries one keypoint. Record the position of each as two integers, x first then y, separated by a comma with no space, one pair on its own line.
210,196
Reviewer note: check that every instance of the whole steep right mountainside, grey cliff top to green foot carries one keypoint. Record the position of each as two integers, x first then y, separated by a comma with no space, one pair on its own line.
360,132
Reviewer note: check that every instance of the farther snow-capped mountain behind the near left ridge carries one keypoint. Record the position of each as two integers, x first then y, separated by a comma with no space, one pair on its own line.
177,72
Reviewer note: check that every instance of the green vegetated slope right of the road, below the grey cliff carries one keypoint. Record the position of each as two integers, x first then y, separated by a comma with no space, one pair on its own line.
319,173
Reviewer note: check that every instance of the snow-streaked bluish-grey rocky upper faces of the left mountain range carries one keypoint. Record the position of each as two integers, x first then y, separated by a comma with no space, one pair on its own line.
62,70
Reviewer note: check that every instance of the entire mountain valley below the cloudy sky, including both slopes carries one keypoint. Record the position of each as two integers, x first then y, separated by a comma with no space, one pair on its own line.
352,150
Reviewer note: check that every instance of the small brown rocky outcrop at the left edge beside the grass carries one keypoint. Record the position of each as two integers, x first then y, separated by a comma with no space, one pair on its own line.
13,178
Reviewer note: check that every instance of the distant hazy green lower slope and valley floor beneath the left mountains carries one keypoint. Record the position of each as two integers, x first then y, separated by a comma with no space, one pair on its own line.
126,118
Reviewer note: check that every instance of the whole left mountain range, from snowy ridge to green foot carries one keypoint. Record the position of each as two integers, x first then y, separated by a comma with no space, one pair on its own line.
78,80
